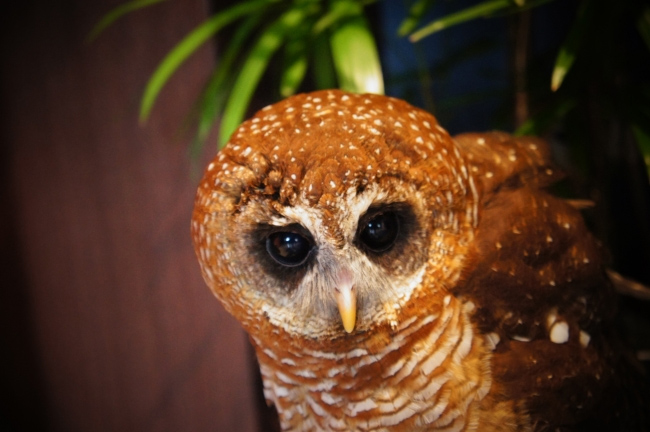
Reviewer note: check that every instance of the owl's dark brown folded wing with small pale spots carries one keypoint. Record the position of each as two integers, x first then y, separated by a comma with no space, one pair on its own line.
544,300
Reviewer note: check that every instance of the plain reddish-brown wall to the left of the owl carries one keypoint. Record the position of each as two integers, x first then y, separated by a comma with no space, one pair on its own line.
106,320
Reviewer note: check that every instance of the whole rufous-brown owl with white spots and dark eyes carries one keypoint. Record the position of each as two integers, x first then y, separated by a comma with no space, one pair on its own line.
392,277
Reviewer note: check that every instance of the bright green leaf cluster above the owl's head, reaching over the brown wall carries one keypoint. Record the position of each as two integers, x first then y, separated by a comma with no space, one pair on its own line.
334,35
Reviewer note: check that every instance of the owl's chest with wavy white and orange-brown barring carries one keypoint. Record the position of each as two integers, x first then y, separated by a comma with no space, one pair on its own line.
429,373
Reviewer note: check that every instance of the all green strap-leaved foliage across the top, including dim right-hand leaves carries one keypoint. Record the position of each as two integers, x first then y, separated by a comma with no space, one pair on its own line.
332,42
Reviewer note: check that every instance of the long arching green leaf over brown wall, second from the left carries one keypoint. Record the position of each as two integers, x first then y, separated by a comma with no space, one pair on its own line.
188,45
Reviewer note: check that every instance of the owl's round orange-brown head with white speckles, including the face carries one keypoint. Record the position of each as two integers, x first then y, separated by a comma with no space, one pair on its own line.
326,212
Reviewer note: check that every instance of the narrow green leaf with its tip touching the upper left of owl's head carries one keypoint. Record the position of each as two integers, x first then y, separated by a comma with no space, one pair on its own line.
252,71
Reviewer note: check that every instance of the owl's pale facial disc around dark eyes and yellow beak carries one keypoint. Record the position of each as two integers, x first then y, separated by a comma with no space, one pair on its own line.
340,274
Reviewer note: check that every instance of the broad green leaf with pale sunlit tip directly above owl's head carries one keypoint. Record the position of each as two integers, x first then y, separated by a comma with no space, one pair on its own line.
355,57
